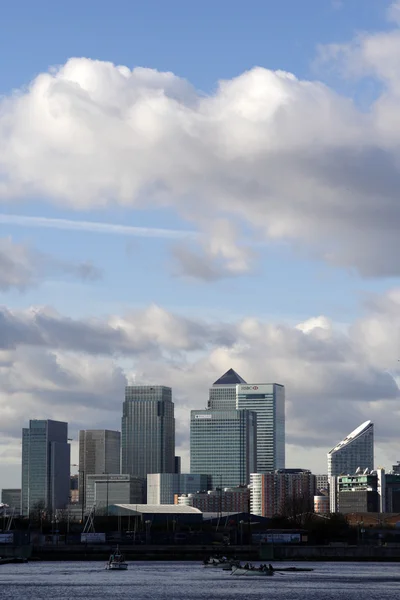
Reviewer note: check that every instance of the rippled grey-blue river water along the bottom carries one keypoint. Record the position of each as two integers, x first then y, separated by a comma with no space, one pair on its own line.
191,581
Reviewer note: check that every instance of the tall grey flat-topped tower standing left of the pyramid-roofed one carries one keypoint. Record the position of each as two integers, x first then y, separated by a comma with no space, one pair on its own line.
148,430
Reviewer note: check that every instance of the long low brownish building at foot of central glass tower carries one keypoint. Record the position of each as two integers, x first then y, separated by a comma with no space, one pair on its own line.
224,500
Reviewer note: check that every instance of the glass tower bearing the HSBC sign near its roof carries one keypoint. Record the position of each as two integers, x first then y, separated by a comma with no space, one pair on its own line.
268,401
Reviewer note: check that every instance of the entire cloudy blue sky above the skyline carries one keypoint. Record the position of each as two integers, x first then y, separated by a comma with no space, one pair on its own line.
186,188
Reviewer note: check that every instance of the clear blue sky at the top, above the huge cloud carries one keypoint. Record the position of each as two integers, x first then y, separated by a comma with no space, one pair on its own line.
204,43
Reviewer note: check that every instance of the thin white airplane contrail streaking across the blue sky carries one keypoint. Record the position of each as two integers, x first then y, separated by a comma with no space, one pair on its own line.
95,227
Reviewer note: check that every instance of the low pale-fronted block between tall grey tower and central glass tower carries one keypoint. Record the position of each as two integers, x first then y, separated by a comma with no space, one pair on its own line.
163,487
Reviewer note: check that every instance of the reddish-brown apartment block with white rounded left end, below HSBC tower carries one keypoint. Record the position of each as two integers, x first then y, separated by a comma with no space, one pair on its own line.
282,492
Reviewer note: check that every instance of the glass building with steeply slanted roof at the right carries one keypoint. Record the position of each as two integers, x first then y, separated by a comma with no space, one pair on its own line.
355,451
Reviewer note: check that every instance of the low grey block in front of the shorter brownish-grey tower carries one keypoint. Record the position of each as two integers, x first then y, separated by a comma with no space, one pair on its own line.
105,490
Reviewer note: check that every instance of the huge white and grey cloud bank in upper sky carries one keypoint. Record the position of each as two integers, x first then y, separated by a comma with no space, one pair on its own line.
291,159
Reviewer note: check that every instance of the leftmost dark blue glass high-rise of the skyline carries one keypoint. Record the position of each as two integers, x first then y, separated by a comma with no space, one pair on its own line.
45,466
